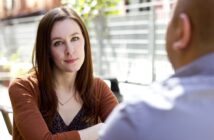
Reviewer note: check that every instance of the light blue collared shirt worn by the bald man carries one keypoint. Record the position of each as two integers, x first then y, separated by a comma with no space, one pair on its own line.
179,108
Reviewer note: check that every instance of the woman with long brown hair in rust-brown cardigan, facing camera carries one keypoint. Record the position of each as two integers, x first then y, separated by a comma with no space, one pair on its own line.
60,98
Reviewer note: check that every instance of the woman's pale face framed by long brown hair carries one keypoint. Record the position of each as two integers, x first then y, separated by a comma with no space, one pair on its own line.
67,46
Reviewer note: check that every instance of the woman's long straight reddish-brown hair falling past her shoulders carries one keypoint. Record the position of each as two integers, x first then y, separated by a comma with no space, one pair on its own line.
43,64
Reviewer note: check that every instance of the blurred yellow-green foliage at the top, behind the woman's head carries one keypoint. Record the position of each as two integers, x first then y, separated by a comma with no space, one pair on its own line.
88,9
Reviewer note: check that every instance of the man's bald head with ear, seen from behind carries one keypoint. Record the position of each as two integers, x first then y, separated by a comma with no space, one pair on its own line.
190,33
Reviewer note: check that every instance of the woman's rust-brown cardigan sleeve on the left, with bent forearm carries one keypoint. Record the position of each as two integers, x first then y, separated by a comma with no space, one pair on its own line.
28,121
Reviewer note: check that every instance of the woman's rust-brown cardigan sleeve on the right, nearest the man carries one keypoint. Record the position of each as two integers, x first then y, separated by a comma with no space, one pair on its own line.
108,100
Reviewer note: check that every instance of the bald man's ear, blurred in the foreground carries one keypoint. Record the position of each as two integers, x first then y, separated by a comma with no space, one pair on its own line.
184,33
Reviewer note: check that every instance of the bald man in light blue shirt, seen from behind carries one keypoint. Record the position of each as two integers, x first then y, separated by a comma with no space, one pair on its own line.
181,107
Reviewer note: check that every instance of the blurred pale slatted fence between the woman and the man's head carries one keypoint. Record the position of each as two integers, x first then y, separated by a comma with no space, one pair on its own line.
131,46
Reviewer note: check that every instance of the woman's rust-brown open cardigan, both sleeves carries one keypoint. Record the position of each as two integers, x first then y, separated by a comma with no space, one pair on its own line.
28,121
